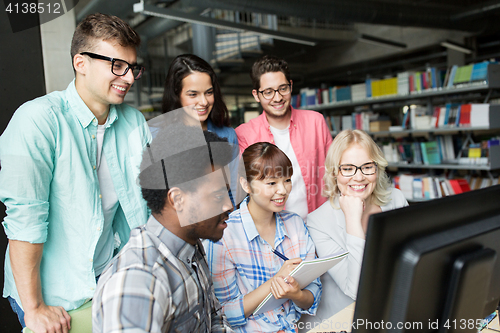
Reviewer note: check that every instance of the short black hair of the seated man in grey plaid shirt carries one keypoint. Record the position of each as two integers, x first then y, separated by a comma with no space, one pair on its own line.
179,165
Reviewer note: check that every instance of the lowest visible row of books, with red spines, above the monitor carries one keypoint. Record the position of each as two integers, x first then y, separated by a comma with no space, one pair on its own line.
422,187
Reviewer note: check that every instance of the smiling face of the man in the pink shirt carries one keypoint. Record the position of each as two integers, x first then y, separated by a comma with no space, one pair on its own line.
278,106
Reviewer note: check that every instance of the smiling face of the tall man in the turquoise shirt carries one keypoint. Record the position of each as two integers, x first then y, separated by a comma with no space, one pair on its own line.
96,84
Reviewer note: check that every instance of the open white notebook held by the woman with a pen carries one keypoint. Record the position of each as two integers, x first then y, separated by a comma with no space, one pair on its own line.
305,273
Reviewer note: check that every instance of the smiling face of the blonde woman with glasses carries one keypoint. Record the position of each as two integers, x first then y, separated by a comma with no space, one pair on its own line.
358,185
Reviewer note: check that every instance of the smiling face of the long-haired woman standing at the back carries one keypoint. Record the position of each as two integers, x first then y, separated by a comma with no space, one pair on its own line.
197,96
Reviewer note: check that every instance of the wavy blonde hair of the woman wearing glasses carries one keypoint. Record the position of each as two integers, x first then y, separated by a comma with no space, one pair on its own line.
343,141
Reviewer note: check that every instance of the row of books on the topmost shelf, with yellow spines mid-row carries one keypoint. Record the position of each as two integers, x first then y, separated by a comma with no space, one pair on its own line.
404,83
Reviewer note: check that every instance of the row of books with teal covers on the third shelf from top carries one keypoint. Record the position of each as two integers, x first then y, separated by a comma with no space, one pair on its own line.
446,149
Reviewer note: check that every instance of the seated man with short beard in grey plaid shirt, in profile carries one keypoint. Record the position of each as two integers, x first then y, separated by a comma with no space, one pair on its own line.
160,281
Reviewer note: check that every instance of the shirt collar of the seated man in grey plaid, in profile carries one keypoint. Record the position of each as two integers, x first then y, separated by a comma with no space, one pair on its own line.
178,247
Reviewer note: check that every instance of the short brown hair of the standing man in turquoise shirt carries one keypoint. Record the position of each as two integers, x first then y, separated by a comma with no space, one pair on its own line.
97,27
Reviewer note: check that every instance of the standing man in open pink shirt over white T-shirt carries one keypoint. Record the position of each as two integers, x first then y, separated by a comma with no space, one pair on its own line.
303,135
